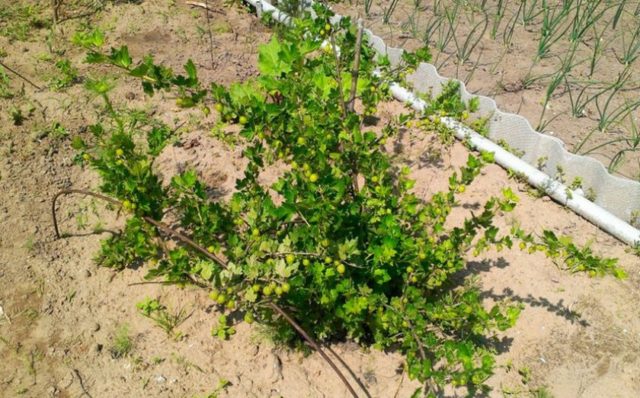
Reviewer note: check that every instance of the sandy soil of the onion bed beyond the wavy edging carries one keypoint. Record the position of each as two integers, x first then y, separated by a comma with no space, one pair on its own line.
499,68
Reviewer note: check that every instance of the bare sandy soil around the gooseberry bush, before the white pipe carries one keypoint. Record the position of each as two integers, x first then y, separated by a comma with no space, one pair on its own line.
62,314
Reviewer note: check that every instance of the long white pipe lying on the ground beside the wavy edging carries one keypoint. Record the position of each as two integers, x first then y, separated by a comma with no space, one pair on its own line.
556,190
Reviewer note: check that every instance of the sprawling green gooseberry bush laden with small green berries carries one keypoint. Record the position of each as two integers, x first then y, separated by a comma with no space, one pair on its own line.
339,241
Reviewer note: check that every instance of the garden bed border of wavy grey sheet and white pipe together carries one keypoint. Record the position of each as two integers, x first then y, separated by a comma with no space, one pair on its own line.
616,198
